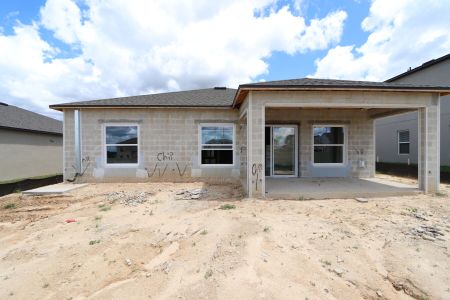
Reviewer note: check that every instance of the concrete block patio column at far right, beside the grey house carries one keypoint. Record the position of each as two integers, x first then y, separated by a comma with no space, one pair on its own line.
429,148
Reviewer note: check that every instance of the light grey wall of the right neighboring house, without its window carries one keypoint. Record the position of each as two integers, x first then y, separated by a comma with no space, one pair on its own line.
387,128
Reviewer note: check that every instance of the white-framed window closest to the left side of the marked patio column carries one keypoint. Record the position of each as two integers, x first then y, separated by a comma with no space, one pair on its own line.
216,144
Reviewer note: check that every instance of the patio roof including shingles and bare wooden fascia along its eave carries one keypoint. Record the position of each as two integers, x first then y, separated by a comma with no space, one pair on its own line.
312,84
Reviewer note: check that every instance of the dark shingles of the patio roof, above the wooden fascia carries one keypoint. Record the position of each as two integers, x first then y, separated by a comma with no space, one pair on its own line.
334,83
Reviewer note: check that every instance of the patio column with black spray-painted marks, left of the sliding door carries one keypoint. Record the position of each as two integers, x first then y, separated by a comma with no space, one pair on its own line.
256,126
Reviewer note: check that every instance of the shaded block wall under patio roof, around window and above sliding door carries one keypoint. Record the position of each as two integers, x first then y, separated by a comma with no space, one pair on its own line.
359,139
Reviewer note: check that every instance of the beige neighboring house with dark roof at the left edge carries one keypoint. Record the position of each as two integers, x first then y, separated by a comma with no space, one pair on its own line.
30,144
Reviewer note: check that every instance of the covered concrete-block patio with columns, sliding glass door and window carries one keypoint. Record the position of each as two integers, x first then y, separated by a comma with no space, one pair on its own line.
319,142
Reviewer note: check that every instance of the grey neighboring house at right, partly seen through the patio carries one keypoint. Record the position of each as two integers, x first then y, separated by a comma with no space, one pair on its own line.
397,136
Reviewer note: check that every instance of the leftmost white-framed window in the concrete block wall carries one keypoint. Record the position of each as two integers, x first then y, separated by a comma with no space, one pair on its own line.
121,144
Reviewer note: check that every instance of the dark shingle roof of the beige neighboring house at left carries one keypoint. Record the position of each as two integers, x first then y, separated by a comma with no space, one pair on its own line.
13,117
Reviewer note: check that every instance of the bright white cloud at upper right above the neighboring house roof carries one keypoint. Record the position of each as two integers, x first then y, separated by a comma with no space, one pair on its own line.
402,34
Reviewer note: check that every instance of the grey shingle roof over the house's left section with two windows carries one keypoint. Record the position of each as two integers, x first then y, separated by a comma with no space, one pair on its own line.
214,97
